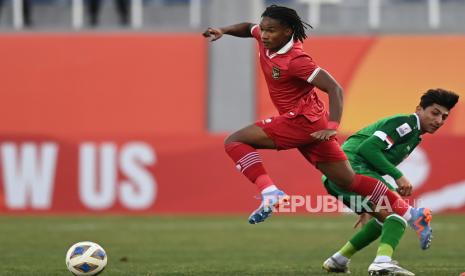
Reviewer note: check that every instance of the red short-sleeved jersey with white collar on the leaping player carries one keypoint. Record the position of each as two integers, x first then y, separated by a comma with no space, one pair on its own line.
288,74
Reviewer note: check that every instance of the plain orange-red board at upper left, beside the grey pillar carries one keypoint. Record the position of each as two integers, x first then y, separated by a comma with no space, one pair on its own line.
66,85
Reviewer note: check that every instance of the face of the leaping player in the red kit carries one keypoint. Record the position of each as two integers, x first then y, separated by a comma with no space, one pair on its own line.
274,35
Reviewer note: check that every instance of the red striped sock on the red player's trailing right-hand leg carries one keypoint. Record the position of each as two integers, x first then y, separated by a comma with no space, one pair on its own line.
367,186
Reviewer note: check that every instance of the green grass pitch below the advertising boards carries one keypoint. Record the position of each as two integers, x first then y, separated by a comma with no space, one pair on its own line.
214,245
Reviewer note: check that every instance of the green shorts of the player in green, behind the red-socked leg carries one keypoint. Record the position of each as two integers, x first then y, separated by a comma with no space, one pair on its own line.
357,203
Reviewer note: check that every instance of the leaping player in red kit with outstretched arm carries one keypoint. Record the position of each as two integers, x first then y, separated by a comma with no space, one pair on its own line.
303,122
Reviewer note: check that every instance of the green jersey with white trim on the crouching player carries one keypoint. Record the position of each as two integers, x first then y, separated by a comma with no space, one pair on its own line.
381,146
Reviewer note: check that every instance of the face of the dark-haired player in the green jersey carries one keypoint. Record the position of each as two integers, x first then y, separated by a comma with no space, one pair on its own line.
432,117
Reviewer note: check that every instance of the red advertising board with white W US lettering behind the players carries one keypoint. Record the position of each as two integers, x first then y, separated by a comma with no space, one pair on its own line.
184,174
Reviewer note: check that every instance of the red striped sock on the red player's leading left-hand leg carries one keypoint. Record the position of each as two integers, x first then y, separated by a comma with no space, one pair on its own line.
249,163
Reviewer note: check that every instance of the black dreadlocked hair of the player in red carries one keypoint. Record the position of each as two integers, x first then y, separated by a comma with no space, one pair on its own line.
288,17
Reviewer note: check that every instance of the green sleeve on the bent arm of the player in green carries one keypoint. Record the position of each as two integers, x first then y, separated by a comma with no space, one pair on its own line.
372,151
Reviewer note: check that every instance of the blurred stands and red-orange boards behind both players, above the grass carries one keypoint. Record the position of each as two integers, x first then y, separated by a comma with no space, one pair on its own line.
122,106
